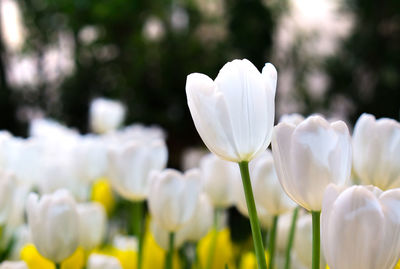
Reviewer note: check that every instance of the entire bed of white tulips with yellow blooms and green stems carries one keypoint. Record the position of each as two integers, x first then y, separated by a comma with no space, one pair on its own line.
306,207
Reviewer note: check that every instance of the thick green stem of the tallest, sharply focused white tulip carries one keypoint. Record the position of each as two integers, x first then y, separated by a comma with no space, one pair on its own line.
251,207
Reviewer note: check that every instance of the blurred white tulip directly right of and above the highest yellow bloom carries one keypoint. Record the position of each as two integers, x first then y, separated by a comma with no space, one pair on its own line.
130,166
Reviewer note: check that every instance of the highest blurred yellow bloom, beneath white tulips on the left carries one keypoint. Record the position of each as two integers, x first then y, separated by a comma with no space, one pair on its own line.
102,193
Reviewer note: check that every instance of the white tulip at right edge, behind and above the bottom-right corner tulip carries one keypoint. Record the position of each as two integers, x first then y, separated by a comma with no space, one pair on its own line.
376,151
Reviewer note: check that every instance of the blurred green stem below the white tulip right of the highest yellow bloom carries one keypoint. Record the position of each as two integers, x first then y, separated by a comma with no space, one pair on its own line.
138,228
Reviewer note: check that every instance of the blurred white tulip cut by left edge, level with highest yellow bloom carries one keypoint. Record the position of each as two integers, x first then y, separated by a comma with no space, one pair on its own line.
7,196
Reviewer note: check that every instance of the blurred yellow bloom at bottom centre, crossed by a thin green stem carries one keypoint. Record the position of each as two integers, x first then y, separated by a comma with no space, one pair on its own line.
223,251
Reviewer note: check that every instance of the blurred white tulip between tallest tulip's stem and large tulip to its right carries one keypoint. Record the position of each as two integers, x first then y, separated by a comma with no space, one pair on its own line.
267,190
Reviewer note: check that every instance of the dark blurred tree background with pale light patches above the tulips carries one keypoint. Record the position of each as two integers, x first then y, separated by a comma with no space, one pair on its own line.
338,58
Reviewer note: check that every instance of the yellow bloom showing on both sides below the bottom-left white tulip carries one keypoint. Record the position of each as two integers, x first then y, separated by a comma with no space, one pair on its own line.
34,260
